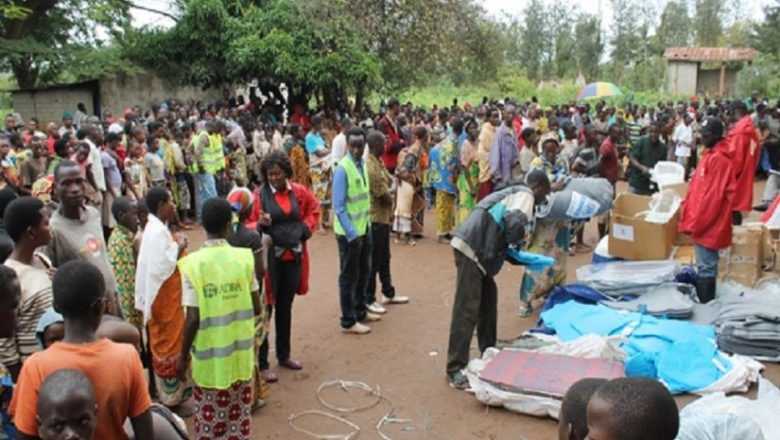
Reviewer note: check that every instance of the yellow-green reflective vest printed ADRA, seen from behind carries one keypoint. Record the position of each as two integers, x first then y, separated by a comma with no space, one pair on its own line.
223,350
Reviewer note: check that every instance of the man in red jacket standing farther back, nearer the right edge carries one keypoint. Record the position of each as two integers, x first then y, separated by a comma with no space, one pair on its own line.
744,146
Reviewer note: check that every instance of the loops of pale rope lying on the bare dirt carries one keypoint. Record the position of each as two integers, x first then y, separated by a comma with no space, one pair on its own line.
345,385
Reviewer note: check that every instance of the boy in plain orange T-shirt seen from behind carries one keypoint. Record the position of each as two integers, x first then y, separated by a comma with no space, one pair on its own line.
114,369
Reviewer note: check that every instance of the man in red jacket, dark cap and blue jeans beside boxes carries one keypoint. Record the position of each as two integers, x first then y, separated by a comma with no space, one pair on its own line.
711,194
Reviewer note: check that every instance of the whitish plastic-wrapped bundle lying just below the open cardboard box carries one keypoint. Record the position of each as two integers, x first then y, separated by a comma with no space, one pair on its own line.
627,277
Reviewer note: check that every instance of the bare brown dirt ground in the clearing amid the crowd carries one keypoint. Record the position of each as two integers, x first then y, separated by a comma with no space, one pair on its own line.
405,354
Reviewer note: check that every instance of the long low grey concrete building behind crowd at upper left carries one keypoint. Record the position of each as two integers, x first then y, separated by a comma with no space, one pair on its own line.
112,94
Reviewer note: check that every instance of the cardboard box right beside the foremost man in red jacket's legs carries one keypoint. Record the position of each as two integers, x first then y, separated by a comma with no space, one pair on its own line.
743,261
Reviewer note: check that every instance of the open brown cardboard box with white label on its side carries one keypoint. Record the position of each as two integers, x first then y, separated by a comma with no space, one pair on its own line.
632,238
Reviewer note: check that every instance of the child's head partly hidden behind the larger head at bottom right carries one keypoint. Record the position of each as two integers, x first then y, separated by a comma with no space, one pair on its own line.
573,420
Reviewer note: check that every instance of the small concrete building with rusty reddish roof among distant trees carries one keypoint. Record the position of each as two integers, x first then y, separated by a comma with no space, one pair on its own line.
704,70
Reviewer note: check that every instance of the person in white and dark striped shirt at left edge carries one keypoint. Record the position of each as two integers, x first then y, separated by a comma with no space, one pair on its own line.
27,223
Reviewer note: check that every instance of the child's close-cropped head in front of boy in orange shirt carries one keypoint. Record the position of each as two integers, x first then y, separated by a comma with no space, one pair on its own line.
66,407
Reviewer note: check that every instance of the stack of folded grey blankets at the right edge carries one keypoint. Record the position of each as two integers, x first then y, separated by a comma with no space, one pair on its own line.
749,324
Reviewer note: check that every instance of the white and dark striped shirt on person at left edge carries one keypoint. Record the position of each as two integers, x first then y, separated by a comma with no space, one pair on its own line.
36,298
